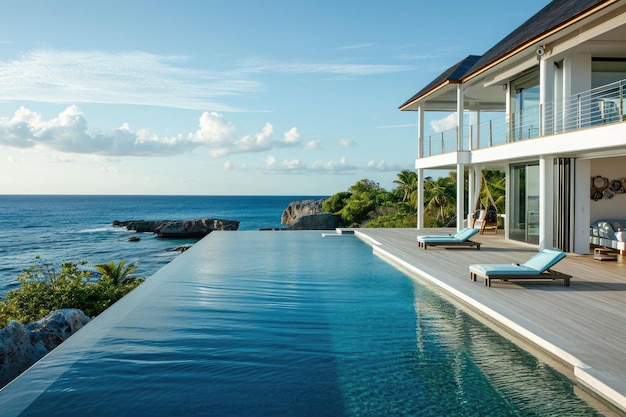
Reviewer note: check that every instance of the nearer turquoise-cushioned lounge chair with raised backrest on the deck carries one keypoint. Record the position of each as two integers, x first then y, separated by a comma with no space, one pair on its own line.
537,267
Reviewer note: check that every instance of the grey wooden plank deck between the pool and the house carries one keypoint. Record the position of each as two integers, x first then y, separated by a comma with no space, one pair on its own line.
583,326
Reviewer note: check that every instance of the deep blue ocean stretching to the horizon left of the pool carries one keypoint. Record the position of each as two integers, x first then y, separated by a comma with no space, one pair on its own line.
61,228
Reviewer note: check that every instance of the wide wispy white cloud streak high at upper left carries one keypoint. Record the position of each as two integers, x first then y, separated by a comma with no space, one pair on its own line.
53,76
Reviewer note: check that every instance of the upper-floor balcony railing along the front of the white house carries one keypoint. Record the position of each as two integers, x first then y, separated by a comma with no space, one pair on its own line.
595,107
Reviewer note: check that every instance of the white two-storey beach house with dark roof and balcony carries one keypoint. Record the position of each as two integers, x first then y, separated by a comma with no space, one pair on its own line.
546,106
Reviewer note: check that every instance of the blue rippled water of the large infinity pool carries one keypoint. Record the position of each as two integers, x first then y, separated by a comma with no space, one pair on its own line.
287,324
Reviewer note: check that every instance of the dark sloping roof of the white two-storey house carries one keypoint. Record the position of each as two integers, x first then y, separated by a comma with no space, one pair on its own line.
550,17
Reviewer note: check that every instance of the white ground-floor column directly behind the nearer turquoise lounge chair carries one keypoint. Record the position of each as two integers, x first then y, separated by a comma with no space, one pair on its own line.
546,202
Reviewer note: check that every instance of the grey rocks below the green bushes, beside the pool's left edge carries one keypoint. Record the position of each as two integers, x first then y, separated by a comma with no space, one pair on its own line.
21,346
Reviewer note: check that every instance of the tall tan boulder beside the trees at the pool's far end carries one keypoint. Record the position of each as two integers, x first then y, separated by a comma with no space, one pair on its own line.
307,215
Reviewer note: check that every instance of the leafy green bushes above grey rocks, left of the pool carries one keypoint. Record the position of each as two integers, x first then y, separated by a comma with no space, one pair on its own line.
43,290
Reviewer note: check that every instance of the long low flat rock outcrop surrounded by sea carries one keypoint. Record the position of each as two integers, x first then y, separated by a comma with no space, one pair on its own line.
178,228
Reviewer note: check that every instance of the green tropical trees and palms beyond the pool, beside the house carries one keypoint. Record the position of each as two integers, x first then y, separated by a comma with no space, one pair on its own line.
367,204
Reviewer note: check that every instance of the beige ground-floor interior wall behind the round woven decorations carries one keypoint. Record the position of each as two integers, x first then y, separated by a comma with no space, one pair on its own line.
614,208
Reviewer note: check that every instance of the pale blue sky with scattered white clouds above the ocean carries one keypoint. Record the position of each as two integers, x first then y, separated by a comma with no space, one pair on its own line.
224,97
